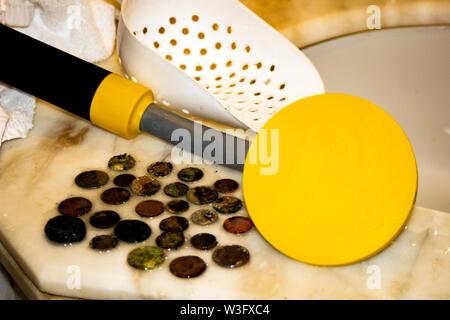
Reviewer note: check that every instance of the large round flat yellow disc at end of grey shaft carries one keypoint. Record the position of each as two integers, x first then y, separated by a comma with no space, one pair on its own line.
341,186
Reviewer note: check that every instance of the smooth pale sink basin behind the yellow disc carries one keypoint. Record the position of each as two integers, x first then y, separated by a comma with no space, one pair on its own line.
405,71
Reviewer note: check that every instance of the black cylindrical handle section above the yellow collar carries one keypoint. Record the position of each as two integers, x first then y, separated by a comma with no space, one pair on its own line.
48,73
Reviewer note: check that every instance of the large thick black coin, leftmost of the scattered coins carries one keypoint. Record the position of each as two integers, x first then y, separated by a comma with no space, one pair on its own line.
65,229
